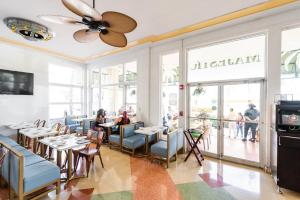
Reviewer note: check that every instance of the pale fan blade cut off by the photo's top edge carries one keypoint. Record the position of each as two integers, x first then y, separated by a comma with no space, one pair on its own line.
82,9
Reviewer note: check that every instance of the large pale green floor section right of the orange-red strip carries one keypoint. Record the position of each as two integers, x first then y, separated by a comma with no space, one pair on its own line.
201,191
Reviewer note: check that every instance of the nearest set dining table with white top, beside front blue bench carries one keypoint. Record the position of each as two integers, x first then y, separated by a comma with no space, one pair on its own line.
66,143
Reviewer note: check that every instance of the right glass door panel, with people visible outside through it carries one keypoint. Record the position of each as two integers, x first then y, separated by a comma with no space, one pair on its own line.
241,113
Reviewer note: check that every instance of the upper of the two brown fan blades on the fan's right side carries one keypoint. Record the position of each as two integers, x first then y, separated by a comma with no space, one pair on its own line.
119,22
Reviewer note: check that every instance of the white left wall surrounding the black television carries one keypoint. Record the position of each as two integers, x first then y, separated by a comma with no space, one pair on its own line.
18,108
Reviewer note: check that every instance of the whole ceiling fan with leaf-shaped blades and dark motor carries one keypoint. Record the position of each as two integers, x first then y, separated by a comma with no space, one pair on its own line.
110,26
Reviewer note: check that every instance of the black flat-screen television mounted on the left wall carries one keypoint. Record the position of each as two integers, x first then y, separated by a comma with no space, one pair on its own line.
16,83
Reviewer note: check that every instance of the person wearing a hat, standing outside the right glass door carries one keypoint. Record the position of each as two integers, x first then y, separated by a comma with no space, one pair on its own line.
251,122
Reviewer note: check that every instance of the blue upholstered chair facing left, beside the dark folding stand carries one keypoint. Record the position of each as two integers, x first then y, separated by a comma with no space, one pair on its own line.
165,150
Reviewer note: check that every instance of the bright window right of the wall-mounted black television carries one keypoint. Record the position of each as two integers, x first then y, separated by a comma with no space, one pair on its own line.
65,91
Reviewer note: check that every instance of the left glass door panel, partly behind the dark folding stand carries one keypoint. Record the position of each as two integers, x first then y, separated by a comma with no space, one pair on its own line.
203,115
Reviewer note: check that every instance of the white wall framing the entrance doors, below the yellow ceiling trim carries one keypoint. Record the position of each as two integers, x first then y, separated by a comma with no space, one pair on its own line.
271,26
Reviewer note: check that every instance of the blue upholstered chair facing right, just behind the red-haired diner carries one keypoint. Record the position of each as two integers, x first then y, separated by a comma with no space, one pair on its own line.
131,140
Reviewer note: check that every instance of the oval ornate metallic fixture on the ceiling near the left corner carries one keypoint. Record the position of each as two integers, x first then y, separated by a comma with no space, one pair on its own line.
30,30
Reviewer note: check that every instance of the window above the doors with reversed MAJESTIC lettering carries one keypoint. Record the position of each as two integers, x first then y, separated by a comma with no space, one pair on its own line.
239,59
